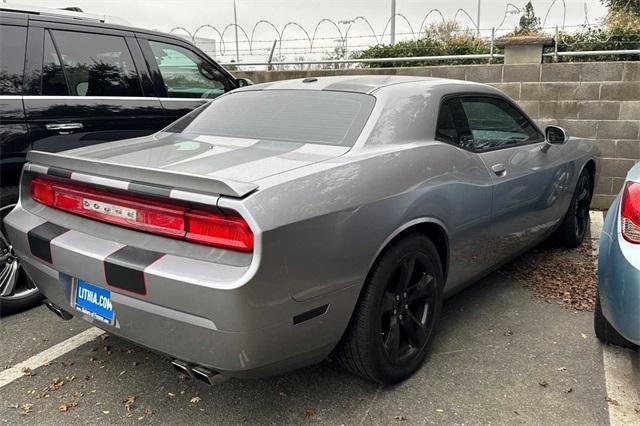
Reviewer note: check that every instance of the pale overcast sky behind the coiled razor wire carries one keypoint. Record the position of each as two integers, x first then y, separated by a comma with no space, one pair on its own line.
165,15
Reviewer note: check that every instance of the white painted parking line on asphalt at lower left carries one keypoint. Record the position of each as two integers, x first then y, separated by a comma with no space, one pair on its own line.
9,375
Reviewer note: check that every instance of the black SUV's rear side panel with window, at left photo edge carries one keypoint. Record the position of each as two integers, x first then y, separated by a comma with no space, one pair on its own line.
14,136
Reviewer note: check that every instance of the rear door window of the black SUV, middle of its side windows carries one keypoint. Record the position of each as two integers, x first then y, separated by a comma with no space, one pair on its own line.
97,64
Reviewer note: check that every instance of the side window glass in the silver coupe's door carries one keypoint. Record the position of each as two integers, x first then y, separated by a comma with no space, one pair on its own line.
494,123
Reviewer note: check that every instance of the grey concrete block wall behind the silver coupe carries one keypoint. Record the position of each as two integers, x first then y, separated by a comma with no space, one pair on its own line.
592,100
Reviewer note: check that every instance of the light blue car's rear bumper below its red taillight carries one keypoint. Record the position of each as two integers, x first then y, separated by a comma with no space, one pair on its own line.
619,279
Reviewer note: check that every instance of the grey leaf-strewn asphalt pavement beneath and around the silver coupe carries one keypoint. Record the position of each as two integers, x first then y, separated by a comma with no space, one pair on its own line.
501,356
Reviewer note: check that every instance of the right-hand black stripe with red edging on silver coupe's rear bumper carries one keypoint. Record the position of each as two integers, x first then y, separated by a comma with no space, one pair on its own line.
125,268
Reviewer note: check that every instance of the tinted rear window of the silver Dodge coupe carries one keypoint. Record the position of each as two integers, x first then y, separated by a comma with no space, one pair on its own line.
320,117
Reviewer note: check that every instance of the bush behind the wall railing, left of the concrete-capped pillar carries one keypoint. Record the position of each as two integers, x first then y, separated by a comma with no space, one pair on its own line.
438,40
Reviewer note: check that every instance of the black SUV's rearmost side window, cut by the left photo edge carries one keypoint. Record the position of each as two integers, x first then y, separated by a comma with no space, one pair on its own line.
12,48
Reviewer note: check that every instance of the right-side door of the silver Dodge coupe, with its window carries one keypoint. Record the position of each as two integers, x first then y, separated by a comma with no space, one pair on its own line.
528,182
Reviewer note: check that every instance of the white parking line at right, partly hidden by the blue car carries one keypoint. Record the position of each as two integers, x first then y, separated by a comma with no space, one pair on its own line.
623,397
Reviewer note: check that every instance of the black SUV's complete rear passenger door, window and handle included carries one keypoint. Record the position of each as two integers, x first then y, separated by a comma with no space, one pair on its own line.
86,87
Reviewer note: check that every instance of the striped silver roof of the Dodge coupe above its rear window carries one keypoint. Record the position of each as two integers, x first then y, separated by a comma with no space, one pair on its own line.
352,83
